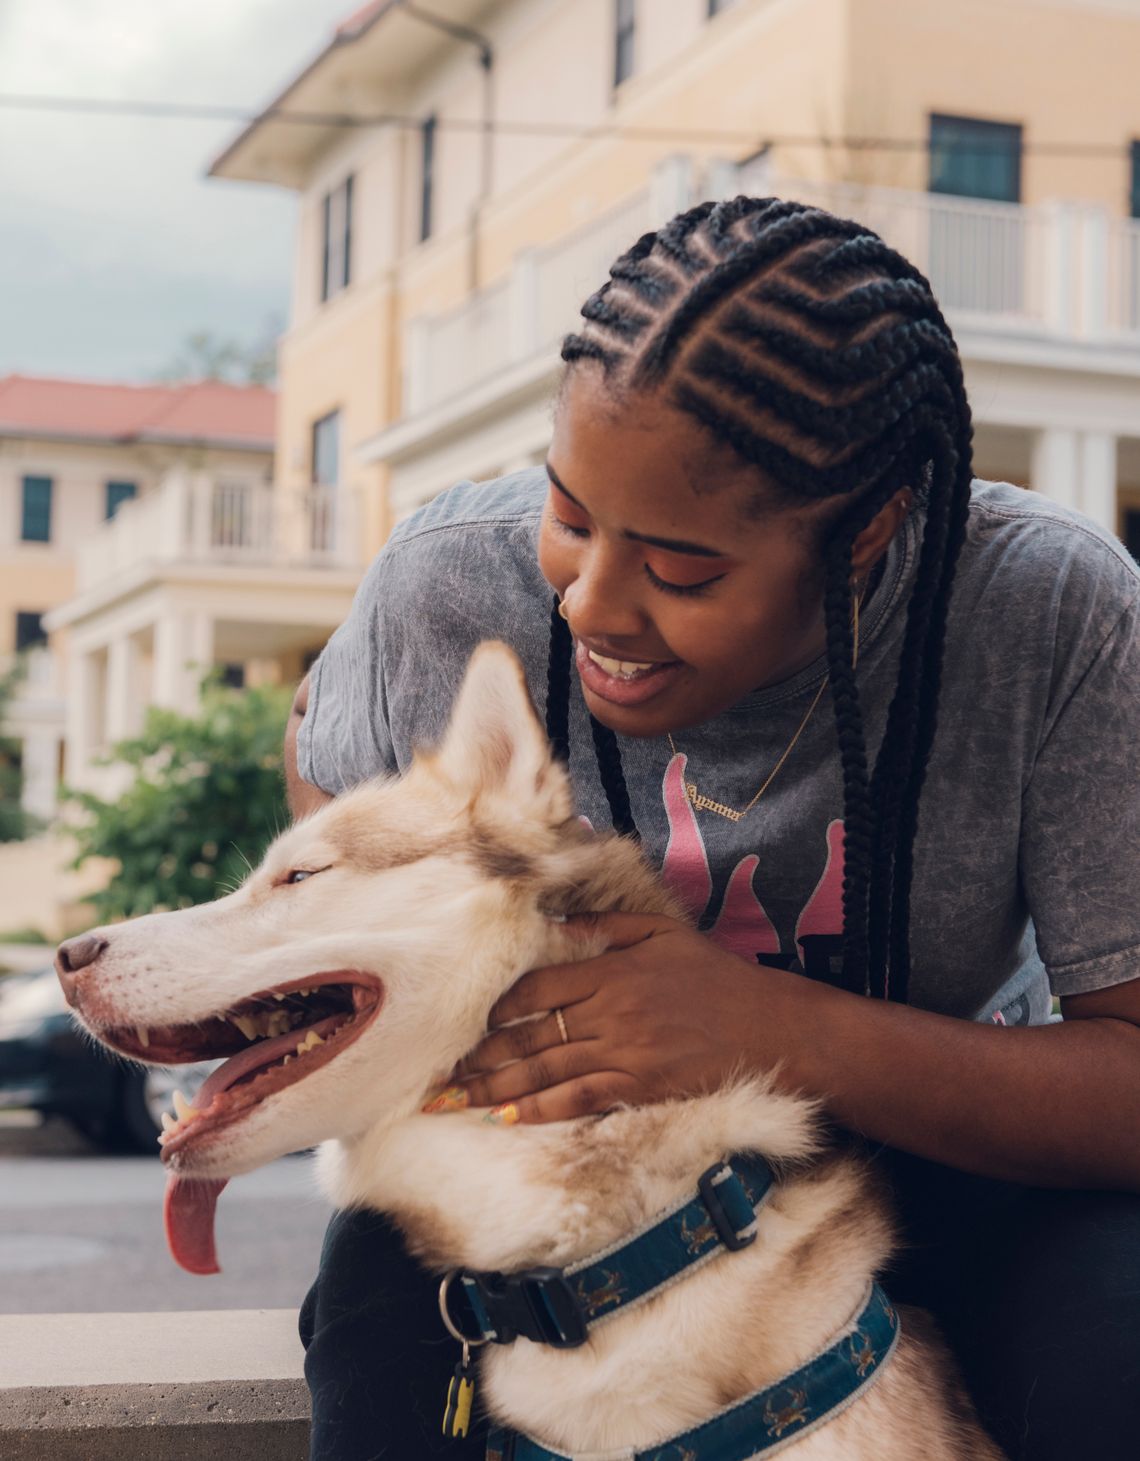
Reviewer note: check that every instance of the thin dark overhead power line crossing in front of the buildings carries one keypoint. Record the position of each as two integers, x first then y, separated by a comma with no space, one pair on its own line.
208,112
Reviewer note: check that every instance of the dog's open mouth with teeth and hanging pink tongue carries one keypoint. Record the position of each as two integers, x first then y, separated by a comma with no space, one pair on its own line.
273,1040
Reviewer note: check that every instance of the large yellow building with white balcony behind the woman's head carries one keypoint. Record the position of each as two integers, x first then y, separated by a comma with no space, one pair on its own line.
503,154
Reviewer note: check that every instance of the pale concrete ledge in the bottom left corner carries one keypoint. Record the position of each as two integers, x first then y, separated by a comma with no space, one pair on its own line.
223,1386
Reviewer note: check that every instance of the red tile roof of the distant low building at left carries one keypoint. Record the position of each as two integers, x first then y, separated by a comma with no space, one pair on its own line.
205,413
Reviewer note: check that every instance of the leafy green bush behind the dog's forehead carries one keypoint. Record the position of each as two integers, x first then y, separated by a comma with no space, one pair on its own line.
205,801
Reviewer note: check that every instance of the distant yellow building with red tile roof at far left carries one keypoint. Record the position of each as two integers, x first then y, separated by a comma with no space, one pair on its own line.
83,464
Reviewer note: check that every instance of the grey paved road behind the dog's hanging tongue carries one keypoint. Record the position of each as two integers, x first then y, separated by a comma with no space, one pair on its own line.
83,1232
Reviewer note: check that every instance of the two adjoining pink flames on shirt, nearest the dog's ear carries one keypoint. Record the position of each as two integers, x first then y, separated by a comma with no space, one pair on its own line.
742,927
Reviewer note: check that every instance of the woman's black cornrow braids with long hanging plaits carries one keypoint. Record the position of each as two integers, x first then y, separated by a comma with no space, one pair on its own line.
822,359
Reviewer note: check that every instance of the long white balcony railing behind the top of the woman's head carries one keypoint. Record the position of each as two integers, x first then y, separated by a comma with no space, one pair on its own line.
1062,270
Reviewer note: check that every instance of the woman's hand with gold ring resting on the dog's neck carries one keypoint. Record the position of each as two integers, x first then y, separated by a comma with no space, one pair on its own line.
663,1013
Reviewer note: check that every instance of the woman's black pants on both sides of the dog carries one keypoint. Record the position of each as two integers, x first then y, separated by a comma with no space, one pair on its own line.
1038,1294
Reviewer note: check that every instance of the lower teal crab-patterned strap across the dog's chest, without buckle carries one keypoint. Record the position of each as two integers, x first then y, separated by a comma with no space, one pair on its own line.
771,1418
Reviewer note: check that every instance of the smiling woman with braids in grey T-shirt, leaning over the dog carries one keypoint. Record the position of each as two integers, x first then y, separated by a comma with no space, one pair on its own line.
876,724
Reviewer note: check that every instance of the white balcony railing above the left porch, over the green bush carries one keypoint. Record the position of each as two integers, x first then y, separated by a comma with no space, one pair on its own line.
194,518
